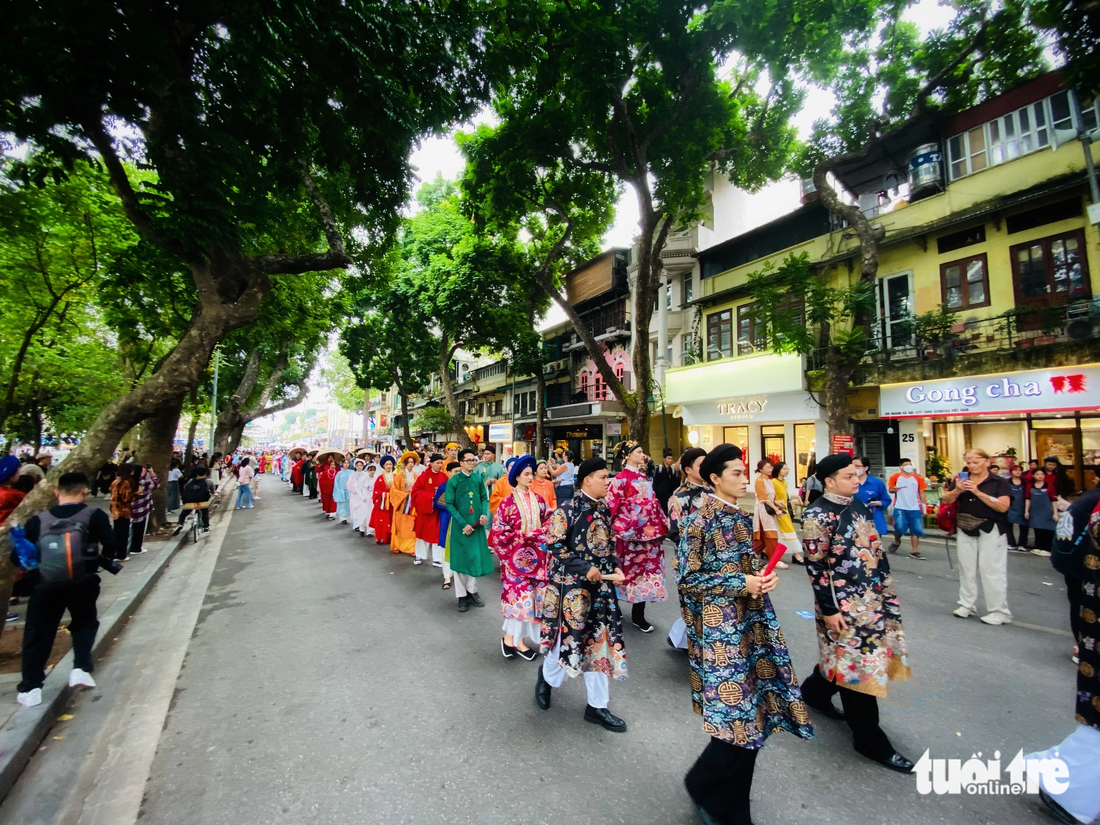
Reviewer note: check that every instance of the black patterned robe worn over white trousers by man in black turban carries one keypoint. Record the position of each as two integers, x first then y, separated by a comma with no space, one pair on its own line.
586,614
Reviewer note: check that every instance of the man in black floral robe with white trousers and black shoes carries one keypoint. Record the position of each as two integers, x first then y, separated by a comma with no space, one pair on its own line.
582,626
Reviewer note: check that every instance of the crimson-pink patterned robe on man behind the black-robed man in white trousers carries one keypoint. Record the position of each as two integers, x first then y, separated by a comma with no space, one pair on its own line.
640,526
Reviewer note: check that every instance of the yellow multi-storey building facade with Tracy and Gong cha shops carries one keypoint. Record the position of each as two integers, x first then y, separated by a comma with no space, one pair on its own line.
999,249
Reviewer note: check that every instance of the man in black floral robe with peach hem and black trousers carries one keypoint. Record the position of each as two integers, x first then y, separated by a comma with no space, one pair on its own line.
861,641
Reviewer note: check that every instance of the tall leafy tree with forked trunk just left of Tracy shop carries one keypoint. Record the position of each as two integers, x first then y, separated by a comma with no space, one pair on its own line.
634,92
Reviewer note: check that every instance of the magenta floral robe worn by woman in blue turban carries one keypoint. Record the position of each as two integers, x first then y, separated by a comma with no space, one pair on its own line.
519,538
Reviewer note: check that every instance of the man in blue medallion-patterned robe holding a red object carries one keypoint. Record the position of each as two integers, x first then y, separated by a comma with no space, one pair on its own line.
744,692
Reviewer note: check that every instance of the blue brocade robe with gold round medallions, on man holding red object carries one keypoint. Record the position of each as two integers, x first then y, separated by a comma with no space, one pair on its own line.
742,679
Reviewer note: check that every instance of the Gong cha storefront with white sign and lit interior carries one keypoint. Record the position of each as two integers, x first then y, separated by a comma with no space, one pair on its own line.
1015,417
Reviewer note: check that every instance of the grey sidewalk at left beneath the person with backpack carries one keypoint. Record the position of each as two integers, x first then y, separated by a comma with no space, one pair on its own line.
23,730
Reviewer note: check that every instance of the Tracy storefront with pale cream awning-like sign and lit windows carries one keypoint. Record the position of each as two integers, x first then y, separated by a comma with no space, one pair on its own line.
779,422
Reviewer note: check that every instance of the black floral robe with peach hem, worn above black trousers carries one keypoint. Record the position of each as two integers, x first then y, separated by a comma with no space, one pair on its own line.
851,576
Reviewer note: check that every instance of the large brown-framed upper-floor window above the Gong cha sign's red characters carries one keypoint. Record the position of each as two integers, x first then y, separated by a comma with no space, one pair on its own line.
1052,271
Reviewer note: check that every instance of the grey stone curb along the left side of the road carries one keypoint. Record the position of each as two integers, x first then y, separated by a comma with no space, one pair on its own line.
25,732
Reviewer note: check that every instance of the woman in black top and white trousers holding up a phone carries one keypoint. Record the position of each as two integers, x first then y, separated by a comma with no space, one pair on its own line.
984,501
